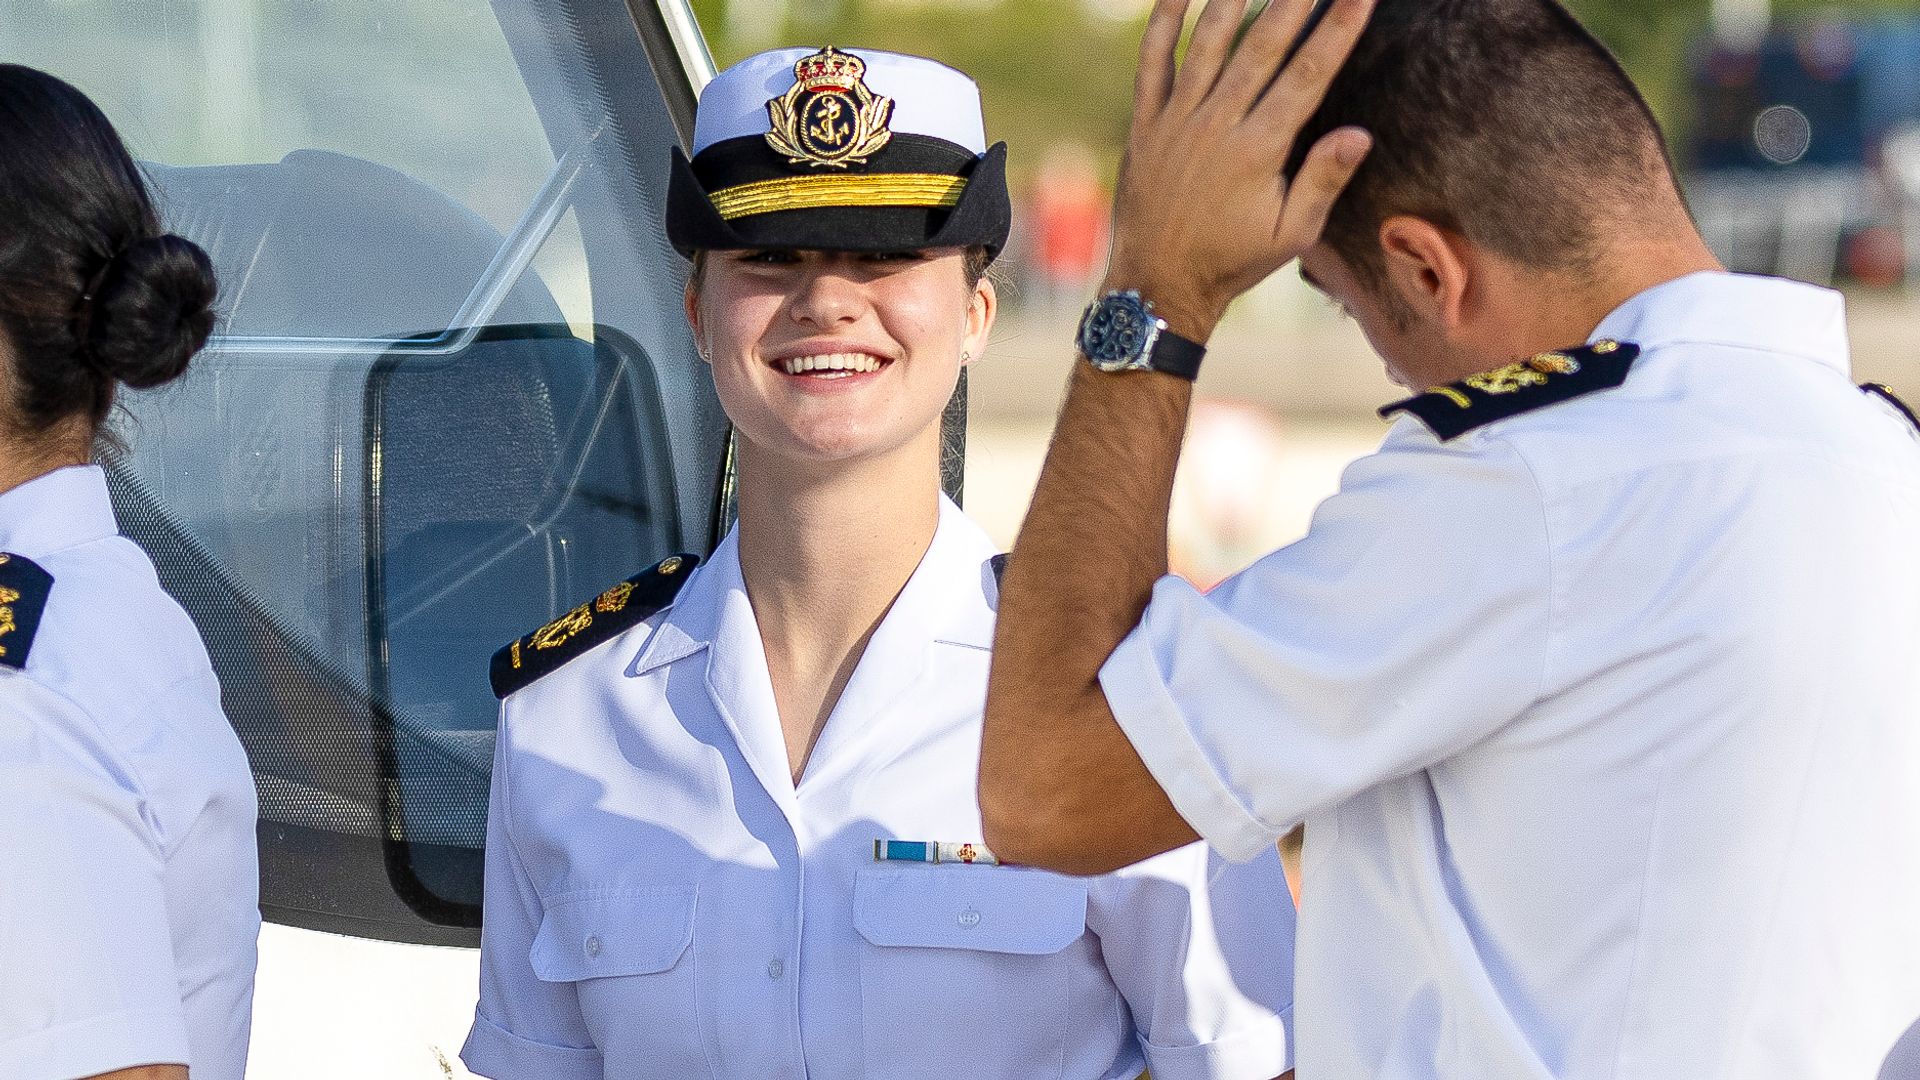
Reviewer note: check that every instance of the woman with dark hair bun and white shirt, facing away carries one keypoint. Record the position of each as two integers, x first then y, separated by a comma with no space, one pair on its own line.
128,864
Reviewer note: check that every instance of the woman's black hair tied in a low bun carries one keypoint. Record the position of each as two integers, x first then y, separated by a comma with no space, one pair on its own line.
93,291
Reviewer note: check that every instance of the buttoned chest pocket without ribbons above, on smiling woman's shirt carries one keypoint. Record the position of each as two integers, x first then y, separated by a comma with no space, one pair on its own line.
636,931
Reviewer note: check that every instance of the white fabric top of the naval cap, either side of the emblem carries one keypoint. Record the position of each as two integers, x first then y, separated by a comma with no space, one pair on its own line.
928,97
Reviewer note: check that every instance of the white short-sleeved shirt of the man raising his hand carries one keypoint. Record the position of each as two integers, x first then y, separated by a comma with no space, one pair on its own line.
1602,720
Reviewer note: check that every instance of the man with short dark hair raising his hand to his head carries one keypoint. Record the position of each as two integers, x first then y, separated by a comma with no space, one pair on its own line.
1596,685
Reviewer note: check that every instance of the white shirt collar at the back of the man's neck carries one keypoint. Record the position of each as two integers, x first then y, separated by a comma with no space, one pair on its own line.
1737,310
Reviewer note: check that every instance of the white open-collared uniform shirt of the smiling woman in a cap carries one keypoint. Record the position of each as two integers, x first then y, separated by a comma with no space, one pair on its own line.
663,902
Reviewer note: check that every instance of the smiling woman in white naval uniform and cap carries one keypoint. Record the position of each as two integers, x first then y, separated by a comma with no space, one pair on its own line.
683,866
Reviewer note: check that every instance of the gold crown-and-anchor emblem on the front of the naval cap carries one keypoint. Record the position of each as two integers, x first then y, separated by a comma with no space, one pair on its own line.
830,118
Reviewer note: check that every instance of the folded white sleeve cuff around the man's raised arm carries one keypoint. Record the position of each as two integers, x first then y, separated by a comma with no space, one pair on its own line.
1153,722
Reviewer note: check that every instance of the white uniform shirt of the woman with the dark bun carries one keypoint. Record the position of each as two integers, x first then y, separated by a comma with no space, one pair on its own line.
130,887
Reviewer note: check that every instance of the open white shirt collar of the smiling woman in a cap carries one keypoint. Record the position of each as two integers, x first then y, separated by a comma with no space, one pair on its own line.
949,599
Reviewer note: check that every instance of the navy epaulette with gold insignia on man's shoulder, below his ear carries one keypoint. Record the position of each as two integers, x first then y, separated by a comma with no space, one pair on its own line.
1547,380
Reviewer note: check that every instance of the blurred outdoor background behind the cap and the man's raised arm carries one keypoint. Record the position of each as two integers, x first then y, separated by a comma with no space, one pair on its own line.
1796,126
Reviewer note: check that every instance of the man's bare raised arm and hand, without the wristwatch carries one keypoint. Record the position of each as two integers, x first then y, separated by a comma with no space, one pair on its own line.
1201,216
